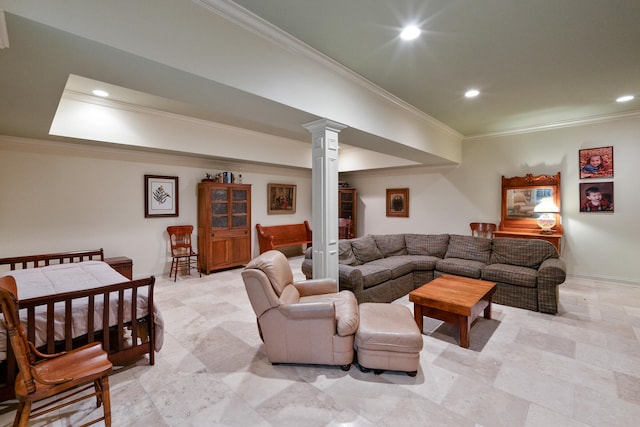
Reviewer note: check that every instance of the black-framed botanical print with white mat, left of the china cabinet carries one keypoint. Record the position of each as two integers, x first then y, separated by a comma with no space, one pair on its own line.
160,196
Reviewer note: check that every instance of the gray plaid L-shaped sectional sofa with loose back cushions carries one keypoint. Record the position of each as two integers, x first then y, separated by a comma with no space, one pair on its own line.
382,268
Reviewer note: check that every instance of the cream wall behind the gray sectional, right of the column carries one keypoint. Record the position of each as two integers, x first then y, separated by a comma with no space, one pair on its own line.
603,246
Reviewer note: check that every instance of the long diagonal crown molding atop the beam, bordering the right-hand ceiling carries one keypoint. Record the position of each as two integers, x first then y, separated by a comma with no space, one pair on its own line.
238,15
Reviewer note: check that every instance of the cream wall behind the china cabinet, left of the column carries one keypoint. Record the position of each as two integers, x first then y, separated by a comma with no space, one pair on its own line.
60,197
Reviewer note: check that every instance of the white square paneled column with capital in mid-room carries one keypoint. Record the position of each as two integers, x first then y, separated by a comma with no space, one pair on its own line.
324,206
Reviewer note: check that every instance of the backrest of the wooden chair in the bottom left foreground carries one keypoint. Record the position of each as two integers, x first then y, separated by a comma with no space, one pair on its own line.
17,335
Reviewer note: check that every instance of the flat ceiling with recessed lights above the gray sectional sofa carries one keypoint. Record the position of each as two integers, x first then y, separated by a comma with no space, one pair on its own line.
535,62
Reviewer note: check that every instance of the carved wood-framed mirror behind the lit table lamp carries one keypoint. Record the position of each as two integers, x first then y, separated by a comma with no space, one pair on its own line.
520,197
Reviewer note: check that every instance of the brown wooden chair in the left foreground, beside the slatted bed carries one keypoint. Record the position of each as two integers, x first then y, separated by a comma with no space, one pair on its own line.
67,375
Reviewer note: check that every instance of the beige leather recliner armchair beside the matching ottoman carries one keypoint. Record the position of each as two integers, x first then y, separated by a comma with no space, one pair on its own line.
300,322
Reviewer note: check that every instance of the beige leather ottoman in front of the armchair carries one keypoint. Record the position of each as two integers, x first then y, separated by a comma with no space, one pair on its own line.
387,339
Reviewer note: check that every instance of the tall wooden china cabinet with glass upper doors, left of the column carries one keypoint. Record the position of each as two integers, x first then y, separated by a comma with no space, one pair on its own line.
224,225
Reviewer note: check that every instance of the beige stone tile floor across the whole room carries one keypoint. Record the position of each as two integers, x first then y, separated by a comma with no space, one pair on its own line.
578,368
